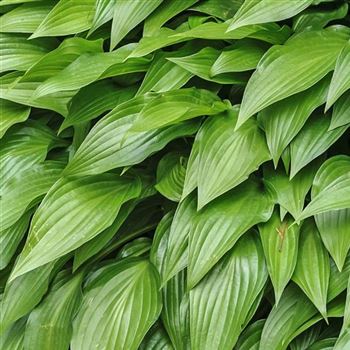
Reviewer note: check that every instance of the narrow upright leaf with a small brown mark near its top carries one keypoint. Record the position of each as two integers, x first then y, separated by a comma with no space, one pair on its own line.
280,244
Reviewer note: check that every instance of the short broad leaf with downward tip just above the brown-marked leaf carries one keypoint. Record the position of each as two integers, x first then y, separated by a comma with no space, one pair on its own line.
290,194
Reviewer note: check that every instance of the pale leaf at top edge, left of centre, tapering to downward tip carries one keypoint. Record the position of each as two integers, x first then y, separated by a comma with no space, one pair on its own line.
127,15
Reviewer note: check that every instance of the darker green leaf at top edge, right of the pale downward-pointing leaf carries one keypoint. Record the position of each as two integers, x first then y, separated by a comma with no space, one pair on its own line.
167,10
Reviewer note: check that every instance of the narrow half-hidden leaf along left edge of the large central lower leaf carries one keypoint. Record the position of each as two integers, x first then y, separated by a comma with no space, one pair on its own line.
176,258
